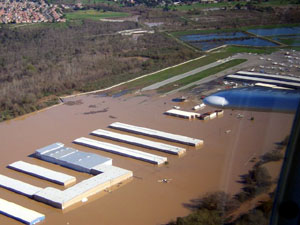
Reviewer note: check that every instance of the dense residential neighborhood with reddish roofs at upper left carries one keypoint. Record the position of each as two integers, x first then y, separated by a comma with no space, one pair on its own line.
29,12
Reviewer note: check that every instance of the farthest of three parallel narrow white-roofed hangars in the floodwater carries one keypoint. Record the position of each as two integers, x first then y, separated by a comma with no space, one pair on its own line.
156,134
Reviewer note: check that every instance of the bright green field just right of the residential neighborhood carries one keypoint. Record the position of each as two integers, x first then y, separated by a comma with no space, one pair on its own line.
93,15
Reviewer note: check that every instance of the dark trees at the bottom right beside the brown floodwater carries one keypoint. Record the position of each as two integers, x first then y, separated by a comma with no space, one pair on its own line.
216,208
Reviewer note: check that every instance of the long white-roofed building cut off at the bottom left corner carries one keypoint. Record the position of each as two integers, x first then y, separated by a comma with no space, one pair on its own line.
20,213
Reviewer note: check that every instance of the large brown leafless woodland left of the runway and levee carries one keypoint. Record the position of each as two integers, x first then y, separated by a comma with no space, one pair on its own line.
39,62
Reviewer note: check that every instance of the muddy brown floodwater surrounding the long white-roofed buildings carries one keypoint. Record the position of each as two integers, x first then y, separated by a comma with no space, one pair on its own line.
143,200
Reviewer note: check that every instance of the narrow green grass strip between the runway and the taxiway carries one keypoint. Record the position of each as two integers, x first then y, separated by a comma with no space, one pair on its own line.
200,75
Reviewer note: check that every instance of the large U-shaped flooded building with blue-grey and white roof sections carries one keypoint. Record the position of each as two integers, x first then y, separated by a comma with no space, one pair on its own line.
106,176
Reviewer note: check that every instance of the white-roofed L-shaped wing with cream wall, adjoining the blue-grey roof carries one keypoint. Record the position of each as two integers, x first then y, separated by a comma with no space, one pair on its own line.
106,176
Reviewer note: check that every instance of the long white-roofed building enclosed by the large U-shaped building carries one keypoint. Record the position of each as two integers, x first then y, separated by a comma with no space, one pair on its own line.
43,173
